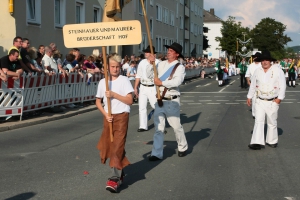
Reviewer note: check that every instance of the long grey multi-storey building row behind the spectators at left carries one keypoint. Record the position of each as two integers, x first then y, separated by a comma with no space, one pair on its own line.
42,21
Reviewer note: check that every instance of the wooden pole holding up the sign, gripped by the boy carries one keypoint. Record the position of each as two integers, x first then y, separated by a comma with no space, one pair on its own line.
107,77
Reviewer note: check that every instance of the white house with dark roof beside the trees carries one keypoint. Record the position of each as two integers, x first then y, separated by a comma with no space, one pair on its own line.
214,24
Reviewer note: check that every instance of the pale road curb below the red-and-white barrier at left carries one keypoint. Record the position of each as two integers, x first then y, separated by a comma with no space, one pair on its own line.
43,119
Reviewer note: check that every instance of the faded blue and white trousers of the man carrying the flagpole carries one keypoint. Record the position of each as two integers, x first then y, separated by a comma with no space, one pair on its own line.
171,111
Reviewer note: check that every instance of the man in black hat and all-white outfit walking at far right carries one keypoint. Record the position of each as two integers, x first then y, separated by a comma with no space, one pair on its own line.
269,84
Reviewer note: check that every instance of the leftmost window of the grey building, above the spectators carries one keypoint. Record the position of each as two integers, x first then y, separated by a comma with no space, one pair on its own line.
33,11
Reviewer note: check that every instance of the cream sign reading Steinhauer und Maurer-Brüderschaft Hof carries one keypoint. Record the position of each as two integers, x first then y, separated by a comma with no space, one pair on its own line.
102,34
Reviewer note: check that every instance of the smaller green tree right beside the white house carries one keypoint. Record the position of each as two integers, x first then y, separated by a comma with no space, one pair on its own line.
231,30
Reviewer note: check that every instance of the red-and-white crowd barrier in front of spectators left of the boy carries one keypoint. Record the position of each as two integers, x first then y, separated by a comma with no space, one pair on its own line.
35,92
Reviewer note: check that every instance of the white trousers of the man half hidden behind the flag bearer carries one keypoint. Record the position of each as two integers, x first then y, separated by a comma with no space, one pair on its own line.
145,94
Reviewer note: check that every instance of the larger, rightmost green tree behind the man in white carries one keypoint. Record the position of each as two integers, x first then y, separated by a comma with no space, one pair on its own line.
268,34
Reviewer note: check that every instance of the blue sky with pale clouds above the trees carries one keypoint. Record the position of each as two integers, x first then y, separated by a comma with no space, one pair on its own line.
250,12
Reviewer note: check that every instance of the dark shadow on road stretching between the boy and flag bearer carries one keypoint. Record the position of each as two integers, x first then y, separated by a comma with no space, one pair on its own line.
137,171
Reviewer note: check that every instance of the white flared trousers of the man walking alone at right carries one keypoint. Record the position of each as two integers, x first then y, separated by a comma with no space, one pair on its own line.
263,109
